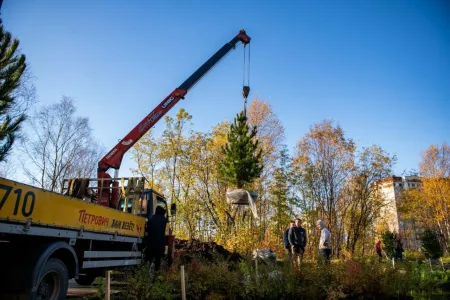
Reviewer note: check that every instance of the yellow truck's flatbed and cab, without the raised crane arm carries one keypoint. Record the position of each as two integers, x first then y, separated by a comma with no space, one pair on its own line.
46,238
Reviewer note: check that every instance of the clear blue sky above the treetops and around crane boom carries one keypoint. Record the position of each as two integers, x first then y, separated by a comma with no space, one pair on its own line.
379,68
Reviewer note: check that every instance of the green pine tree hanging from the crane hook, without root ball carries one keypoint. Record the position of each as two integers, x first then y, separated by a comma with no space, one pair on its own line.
242,163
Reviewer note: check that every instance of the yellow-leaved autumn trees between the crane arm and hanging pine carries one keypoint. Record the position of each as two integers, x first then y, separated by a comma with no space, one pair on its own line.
185,165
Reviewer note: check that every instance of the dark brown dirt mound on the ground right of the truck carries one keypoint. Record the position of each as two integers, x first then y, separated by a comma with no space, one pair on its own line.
187,249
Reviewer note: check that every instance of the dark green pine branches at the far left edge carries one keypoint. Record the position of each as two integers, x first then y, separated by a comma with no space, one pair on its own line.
12,67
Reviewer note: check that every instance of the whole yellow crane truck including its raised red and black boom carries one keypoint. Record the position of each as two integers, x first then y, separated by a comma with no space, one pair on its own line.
93,224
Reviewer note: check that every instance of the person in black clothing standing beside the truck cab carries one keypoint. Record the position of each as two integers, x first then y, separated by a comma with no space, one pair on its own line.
156,237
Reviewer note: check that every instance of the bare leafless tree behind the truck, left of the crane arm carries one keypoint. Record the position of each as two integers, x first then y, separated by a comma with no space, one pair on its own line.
60,145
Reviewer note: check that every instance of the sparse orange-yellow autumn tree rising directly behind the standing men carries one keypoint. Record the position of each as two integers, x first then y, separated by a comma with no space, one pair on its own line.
324,160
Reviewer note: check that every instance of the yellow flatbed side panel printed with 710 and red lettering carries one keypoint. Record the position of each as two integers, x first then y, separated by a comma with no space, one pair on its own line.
21,203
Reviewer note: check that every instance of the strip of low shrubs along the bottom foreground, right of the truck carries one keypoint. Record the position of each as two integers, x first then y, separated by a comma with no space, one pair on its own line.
350,279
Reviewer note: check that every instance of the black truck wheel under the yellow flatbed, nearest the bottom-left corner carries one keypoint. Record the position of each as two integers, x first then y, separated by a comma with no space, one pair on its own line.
53,281
